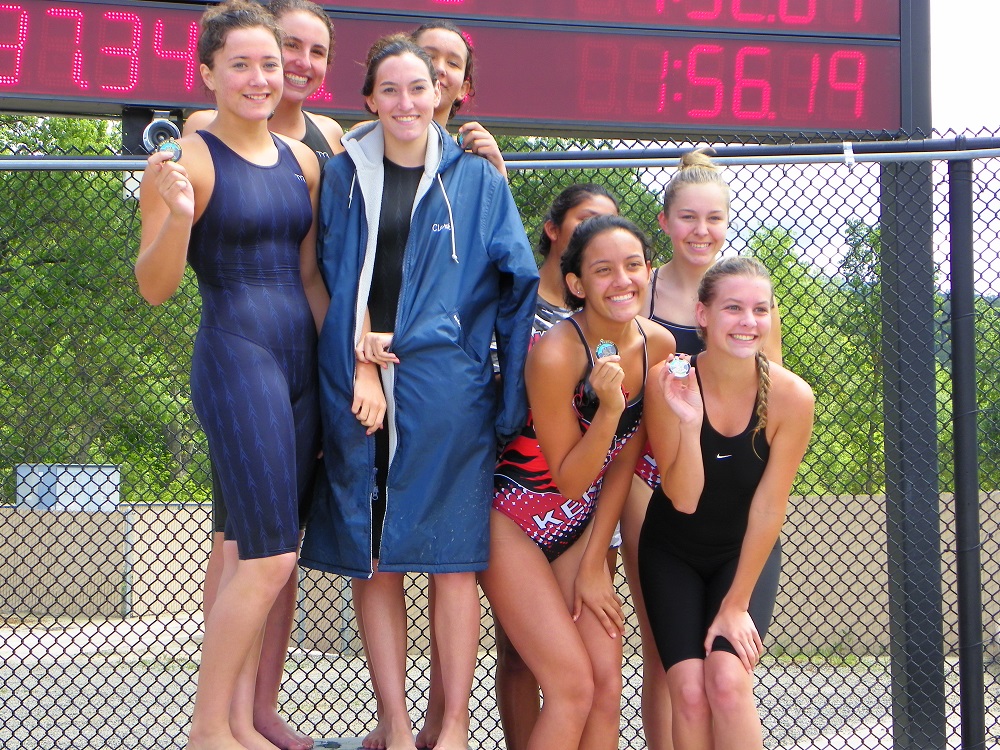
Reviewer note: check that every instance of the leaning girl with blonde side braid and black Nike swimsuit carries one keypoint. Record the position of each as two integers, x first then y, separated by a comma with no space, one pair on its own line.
728,438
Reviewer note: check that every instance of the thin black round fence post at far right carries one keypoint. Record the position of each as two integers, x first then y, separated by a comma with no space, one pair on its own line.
964,407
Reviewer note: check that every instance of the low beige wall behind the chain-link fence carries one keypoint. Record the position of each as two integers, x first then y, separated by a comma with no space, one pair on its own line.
144,561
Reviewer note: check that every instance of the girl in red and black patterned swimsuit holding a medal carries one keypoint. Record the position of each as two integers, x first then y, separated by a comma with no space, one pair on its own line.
561,484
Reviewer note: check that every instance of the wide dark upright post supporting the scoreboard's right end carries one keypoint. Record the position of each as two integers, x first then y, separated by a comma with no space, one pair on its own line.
914,557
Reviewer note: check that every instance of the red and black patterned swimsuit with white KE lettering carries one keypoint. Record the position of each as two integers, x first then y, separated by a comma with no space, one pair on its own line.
523,488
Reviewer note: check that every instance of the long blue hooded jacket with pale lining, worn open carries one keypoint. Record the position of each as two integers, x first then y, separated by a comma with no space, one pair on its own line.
468,273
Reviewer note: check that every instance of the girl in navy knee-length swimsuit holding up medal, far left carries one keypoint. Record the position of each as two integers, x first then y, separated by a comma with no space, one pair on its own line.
254,367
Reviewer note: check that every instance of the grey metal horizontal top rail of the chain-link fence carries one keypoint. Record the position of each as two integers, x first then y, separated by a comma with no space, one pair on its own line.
848,152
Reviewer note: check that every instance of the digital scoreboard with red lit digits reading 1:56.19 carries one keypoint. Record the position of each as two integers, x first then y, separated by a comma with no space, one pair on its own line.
612,67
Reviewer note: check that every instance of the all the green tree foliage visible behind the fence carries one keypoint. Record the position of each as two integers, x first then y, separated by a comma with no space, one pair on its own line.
91,374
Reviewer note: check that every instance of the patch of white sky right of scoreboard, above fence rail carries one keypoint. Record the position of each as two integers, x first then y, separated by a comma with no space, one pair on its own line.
965,38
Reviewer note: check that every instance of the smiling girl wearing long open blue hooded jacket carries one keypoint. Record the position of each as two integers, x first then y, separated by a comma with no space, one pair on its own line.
425,258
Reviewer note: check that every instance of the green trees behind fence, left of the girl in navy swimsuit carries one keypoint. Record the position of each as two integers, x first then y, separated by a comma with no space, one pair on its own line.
90,373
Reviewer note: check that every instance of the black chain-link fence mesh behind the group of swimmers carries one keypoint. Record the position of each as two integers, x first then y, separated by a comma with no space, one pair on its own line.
105,516
